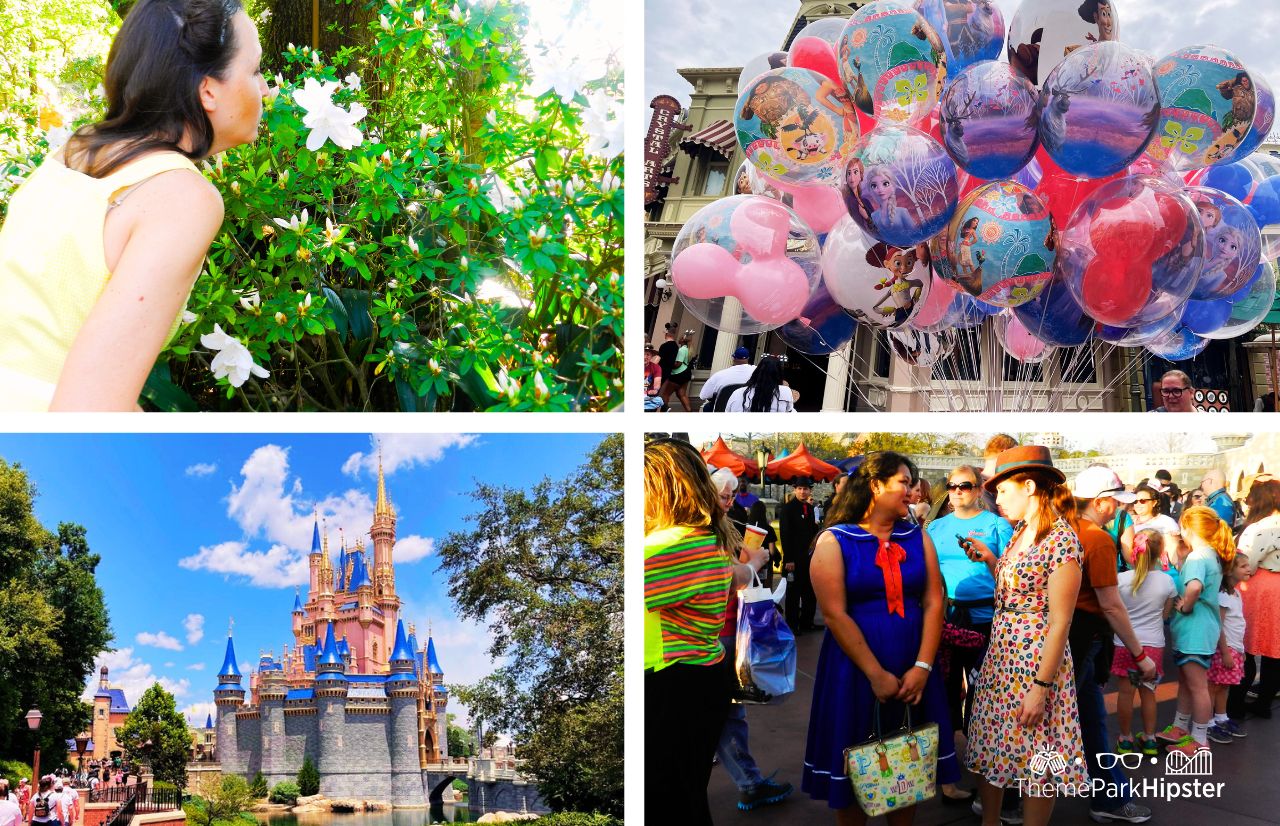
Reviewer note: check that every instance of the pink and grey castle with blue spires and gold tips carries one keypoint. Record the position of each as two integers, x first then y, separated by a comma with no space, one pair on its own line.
355,692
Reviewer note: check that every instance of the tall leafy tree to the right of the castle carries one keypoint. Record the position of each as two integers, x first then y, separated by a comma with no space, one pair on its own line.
545,568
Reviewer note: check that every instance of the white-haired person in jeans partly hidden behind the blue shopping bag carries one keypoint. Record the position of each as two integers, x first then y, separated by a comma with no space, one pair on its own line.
734,752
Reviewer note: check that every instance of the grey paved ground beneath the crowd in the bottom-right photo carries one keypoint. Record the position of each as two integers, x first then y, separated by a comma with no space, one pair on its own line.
1249,769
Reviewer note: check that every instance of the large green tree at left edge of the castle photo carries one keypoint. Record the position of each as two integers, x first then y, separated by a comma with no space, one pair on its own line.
53,624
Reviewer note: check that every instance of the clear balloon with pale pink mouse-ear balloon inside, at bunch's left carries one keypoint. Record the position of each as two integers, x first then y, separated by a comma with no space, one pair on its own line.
746,264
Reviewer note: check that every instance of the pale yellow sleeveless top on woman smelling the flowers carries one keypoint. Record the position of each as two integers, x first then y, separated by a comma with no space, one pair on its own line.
53,270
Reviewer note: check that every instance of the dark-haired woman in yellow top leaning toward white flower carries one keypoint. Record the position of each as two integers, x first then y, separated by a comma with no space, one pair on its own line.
104,241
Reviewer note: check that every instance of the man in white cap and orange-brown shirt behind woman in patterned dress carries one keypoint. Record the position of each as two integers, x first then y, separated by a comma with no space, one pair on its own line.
1099,614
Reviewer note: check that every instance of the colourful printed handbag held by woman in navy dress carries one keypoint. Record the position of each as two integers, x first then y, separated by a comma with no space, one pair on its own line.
897,773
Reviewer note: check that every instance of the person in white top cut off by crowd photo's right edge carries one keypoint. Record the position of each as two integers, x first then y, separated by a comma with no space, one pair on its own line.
1260,541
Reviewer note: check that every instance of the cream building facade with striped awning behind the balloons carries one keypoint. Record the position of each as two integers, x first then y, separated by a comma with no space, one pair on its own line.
867,375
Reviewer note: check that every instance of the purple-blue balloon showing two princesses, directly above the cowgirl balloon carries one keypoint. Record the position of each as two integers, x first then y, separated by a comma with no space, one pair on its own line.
900,186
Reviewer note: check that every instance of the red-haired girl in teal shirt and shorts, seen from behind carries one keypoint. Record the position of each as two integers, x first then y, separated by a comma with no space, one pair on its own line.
1196,627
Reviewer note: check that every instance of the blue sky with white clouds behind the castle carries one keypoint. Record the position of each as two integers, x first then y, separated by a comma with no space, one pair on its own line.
195,530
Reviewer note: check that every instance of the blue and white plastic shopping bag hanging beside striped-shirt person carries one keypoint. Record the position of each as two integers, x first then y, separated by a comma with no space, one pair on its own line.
766,660
